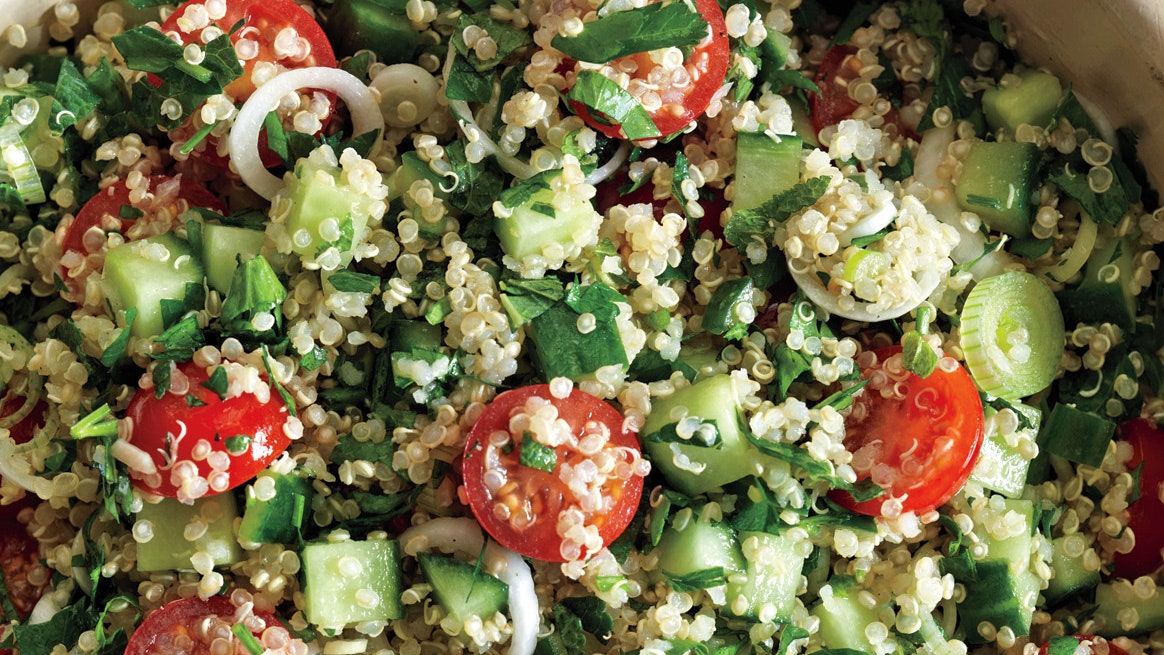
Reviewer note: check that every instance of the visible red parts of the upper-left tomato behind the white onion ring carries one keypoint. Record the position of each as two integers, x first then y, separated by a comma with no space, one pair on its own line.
264,20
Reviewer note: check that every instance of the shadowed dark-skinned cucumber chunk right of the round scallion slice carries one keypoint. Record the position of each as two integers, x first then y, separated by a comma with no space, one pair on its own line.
1108,293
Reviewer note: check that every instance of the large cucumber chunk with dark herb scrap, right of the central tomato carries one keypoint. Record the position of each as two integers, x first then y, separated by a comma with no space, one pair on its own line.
691,468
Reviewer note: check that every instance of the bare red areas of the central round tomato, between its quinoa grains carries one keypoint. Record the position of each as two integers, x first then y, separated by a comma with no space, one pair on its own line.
541,540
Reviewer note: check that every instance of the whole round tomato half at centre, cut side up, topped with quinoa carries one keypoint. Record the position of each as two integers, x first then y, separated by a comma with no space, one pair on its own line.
522,507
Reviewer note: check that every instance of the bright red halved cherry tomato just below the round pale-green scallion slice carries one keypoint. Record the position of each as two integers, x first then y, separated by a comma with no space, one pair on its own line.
919,445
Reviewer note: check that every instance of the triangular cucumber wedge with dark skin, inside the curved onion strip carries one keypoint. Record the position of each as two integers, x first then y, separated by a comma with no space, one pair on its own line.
464,590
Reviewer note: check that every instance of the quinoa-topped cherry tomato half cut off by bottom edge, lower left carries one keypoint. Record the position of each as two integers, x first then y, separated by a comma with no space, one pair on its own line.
190,625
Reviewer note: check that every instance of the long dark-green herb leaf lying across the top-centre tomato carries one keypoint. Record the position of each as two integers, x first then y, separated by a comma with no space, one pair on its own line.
642,30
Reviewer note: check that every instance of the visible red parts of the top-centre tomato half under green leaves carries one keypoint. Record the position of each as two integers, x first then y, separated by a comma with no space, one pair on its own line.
707,67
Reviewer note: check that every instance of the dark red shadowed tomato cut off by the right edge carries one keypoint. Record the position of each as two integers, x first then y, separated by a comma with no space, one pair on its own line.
1146,516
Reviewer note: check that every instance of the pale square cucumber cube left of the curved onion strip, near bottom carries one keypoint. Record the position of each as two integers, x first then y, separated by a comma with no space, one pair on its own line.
351,582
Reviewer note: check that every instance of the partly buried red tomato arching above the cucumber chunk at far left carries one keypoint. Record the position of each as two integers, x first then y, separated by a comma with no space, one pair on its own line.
104,210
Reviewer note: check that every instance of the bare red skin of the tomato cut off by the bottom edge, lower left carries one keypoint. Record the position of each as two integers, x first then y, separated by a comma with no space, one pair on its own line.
181,618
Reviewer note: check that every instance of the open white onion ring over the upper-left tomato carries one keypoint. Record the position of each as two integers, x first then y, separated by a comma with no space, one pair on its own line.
244,138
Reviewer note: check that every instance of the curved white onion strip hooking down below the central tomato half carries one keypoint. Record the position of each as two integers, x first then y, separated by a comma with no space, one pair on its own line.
464,536
